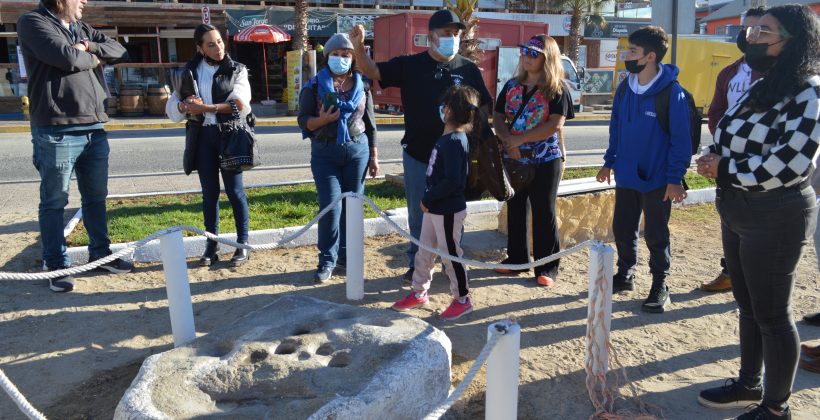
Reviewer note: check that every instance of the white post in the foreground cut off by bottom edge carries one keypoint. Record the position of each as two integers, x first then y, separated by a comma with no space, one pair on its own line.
502,374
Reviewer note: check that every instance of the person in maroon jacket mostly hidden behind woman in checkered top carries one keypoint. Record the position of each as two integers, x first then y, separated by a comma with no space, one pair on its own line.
733,81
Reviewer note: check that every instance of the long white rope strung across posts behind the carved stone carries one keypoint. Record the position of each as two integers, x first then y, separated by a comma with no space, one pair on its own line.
276,244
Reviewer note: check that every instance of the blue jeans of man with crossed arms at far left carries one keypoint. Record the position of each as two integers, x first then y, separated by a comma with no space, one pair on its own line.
56,156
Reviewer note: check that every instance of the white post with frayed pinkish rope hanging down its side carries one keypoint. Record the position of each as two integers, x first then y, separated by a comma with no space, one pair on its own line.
601,267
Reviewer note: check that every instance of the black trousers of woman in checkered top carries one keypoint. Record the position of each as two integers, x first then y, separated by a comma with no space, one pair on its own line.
764,235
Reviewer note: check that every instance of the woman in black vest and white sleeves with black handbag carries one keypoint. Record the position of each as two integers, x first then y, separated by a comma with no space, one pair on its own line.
221,82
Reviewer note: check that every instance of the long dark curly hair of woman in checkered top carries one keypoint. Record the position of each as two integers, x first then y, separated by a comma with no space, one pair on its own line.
799,60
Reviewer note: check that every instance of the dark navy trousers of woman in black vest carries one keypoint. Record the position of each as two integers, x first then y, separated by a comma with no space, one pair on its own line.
207,166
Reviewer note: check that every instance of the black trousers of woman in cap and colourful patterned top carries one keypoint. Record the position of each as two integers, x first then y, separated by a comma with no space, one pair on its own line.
542,194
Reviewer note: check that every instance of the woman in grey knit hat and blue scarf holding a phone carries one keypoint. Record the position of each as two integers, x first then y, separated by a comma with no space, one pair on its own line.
336,114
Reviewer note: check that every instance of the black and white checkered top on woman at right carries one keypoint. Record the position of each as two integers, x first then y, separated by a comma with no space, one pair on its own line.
772,149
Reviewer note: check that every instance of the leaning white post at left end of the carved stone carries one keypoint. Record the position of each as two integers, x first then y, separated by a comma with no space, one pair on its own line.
179,291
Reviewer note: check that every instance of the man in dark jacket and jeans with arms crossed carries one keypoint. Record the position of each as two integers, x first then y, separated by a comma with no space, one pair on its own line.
61,54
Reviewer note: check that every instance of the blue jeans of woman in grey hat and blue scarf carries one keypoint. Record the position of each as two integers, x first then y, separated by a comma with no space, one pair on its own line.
336,169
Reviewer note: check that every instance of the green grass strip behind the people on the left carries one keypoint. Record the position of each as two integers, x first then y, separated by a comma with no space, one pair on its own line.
270,208
